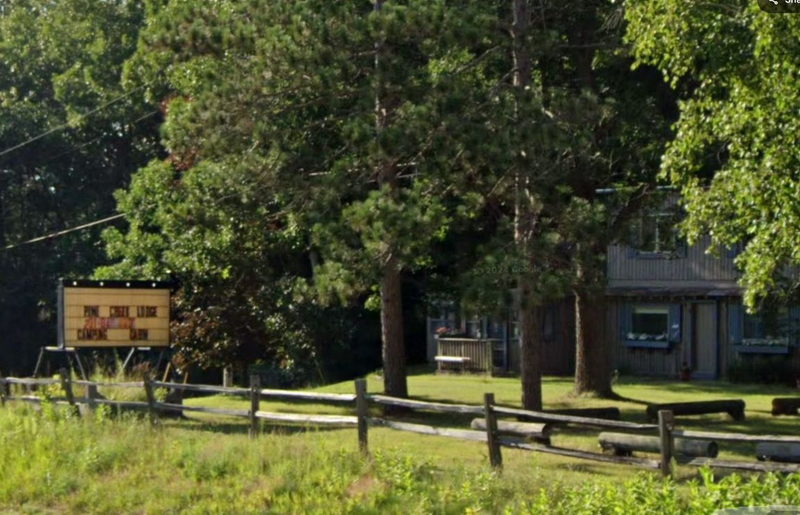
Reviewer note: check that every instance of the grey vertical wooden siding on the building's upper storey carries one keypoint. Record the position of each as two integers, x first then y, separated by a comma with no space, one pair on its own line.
696,269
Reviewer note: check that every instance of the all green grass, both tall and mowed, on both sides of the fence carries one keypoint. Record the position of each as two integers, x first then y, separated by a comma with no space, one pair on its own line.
53,462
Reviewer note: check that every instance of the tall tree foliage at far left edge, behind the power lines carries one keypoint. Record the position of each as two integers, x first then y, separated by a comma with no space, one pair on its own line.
60,68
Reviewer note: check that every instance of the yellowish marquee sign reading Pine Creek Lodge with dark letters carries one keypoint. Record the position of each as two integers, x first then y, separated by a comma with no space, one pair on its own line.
113,313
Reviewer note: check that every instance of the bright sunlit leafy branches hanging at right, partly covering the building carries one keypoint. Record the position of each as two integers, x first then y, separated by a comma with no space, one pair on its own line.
731,156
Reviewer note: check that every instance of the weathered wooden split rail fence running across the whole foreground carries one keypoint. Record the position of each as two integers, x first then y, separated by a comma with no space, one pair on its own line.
688,447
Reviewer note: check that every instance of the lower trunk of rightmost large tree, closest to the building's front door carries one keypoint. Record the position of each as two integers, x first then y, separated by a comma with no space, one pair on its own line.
592,359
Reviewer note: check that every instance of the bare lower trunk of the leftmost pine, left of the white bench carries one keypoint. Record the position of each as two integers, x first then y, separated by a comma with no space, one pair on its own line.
394,352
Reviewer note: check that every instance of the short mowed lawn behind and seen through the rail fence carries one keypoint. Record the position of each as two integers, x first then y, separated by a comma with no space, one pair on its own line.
635,394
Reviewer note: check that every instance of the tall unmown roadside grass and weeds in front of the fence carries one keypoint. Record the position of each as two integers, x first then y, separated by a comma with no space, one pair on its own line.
54,461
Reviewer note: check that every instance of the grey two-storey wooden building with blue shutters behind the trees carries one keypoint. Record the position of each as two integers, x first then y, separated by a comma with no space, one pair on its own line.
670,307
